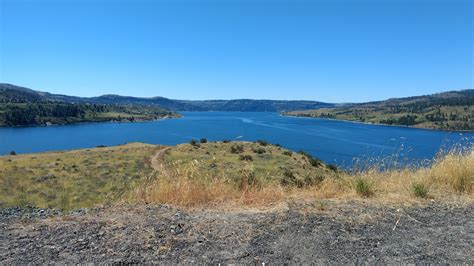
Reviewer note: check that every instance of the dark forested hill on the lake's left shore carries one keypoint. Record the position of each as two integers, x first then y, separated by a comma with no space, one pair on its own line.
24,107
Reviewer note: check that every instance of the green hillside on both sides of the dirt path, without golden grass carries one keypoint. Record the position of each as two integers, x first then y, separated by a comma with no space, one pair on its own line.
87,177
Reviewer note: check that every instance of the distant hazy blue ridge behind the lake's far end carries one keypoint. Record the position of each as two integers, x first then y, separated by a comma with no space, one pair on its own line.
243,105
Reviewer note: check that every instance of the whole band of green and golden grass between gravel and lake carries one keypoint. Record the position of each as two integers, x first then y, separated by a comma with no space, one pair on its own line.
216,174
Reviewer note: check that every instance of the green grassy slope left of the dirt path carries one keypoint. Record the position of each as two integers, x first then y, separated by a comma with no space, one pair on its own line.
73,179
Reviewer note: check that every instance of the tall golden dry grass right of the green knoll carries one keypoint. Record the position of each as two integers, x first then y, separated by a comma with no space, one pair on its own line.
451,174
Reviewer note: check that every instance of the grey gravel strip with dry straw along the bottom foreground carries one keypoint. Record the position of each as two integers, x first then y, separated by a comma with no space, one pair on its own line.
332,232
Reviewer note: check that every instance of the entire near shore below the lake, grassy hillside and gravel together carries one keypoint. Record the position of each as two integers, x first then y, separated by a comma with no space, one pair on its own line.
229,202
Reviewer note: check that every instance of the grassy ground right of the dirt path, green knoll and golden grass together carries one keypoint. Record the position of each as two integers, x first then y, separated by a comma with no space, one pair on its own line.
211,174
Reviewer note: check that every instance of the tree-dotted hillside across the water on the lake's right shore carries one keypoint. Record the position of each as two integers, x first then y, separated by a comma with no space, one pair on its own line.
452,110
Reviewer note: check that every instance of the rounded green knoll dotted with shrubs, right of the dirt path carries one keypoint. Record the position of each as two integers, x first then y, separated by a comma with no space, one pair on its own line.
269,164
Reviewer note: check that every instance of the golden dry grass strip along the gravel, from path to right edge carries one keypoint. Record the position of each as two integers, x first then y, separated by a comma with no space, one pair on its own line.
451,175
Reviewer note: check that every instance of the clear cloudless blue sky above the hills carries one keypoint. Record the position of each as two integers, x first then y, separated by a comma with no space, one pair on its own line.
333,51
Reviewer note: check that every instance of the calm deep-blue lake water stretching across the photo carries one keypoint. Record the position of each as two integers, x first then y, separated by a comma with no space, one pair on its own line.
333,141
